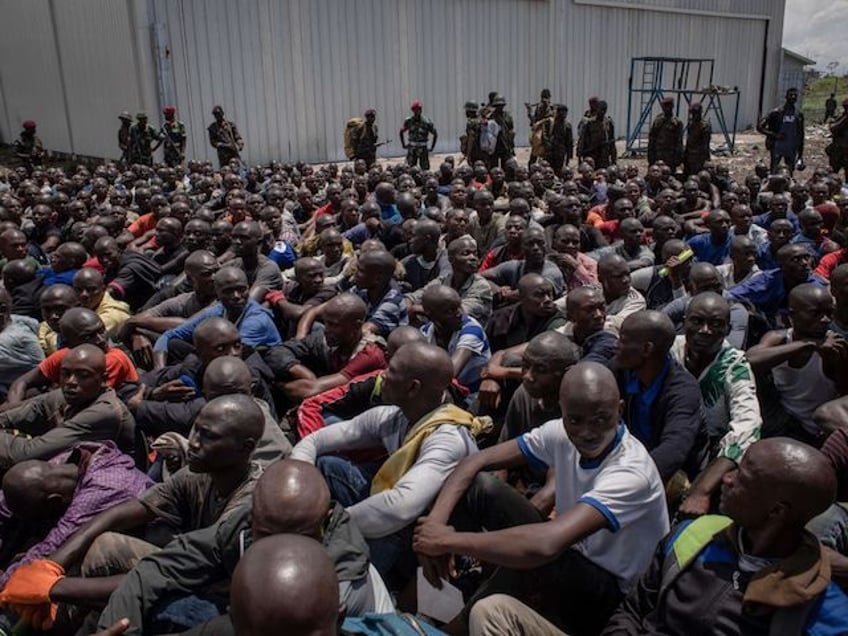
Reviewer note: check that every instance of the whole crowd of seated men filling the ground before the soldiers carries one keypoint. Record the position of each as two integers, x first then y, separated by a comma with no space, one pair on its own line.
259,400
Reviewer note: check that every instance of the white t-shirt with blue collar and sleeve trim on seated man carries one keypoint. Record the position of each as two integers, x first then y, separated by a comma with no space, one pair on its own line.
624,486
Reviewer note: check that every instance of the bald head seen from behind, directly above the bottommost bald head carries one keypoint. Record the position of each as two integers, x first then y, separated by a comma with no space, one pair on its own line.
290,496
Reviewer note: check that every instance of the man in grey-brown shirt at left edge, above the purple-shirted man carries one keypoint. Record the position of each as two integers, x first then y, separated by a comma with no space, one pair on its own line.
84,408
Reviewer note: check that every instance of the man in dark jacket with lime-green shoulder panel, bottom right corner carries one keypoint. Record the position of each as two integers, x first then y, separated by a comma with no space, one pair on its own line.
753,556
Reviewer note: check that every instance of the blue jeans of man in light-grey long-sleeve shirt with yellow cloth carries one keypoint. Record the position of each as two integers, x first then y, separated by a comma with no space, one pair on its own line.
349,484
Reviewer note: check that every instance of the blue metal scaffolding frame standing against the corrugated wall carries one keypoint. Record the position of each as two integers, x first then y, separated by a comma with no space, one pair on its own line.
687,80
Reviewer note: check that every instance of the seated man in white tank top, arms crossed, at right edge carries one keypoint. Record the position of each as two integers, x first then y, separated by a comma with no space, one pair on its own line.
804,365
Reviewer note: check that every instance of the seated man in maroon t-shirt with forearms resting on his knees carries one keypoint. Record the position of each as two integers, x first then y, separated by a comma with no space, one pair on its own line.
330,357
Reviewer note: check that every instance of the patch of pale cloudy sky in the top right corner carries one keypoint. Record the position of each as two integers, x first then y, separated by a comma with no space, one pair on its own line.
817,29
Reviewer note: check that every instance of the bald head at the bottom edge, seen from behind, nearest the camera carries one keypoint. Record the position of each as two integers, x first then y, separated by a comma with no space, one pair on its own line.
285,580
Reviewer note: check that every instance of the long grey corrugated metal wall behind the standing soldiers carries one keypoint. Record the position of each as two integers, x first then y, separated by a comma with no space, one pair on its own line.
290,72
